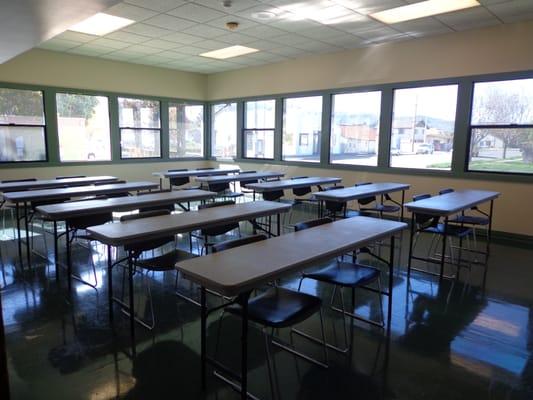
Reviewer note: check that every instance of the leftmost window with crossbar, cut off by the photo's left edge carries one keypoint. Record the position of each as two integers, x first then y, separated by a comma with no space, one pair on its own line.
22,126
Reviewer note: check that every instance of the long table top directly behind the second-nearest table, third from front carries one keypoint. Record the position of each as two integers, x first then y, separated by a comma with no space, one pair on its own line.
62,211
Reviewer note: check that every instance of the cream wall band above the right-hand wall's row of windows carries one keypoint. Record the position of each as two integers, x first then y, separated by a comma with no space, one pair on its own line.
497,49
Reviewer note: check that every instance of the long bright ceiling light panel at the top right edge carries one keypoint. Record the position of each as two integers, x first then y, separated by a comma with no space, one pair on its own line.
422,9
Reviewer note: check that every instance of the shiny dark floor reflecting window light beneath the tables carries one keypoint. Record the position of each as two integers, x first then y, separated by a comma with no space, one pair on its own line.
452,340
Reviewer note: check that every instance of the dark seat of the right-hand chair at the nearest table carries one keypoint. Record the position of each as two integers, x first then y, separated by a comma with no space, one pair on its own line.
345,274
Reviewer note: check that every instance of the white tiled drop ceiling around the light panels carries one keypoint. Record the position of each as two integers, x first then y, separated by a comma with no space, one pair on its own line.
172,33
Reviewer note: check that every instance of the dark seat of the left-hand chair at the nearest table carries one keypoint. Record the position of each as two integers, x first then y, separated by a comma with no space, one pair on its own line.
279,307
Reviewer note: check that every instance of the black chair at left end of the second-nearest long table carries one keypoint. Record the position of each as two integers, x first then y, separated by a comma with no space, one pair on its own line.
160,263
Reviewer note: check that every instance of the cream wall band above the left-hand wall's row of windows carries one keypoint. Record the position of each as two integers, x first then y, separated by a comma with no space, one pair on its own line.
49,68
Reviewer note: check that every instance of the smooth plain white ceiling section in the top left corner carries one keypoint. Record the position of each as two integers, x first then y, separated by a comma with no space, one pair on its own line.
27,23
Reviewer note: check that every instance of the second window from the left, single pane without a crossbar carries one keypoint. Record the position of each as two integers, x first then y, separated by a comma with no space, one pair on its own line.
83,127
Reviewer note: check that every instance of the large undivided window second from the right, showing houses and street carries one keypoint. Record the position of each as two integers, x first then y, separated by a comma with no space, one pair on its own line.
423,125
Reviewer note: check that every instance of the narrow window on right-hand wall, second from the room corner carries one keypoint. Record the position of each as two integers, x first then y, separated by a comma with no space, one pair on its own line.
259,123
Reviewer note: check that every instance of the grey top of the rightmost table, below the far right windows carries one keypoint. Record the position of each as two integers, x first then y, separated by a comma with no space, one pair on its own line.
451,203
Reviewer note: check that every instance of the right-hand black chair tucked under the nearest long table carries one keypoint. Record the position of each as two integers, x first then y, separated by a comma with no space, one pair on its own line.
343,275
